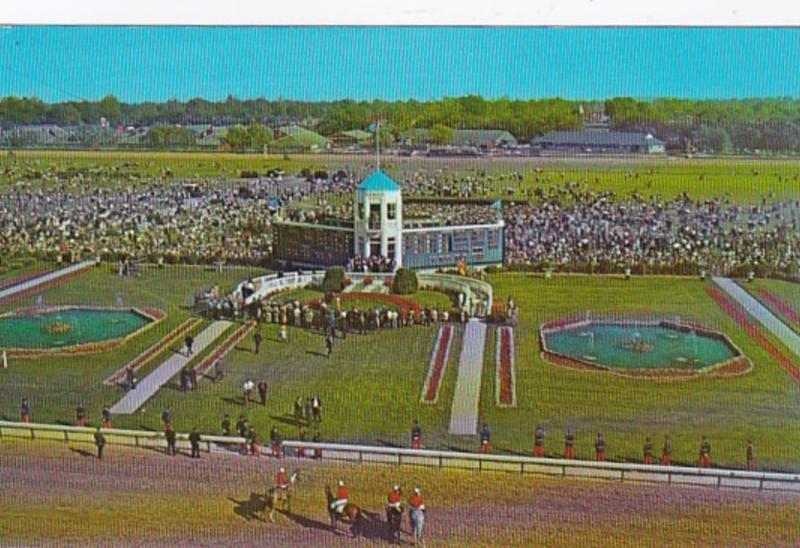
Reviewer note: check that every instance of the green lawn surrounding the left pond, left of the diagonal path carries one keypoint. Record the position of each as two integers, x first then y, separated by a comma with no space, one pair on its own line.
54,385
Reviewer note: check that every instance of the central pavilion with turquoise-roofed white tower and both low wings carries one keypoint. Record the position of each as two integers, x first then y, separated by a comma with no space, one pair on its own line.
378,228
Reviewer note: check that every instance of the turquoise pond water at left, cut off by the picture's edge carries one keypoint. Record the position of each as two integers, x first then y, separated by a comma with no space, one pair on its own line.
69,327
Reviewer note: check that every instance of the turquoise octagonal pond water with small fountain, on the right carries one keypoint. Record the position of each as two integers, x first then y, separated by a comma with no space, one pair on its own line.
626,346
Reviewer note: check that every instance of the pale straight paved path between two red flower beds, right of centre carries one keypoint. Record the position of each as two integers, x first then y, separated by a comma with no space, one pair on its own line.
464,413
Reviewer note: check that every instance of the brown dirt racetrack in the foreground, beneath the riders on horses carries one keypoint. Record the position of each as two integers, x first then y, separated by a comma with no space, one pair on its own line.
61,495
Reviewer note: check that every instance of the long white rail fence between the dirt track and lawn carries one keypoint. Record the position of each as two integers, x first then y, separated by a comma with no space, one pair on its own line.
614,471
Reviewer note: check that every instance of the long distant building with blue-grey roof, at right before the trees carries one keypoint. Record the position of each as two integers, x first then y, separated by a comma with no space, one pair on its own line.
598,141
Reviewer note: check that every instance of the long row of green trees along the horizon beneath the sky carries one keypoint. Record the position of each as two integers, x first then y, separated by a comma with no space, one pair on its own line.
735,125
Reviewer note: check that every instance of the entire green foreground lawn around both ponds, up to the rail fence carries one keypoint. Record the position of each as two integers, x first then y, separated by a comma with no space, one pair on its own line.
370,386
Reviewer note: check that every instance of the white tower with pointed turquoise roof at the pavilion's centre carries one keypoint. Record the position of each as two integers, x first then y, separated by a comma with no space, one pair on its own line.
378,218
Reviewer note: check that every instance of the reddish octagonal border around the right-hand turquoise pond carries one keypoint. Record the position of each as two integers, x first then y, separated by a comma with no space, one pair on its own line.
739,364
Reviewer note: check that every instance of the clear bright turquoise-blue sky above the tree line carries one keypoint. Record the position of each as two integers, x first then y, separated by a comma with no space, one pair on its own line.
316,63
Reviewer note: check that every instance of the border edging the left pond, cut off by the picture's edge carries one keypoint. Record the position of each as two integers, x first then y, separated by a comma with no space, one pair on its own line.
84,348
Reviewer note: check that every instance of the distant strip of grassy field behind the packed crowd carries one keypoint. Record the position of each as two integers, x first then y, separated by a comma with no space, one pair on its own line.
741,180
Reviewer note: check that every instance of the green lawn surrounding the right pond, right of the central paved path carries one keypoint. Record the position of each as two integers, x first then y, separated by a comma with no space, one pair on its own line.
762,405
